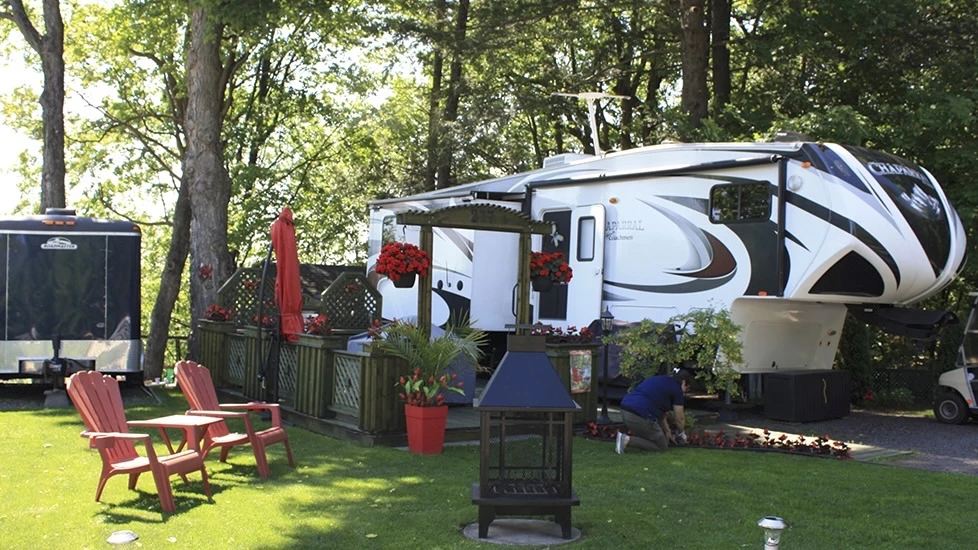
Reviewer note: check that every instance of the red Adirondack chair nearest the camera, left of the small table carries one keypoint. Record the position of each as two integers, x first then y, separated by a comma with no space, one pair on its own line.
99,402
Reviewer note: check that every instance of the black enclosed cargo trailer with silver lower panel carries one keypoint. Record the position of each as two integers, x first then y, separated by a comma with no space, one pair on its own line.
69,297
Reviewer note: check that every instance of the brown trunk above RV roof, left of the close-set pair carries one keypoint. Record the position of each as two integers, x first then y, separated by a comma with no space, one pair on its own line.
695,59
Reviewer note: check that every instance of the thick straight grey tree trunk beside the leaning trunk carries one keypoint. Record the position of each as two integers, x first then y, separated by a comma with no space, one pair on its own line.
208,181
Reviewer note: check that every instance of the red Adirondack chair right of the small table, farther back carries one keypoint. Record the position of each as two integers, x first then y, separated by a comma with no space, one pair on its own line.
195,381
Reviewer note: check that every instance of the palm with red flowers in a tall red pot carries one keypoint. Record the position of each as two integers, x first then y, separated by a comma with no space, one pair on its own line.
425,386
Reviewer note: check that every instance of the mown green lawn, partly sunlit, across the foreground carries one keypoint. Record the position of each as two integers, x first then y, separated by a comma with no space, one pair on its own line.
344,496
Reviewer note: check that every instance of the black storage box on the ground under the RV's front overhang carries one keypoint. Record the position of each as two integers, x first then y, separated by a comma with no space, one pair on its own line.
806,396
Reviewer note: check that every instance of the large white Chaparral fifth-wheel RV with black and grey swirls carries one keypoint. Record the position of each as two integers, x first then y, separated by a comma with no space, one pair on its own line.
784,235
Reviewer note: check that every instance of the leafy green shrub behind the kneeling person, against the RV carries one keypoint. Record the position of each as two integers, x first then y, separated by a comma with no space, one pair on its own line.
707,338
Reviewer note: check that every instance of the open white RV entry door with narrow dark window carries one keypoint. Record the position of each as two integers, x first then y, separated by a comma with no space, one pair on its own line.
586,257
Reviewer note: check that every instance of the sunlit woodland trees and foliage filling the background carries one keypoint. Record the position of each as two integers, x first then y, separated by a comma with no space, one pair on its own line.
201,122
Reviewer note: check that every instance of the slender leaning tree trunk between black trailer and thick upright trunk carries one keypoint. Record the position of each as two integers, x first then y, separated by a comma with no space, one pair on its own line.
176,260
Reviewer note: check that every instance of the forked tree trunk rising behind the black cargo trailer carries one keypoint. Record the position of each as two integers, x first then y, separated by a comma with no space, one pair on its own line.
50,47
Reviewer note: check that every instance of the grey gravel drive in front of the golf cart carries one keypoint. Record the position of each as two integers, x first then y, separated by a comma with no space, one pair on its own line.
935,446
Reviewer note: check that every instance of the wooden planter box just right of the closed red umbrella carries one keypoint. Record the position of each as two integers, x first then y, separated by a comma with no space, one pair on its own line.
314,373
